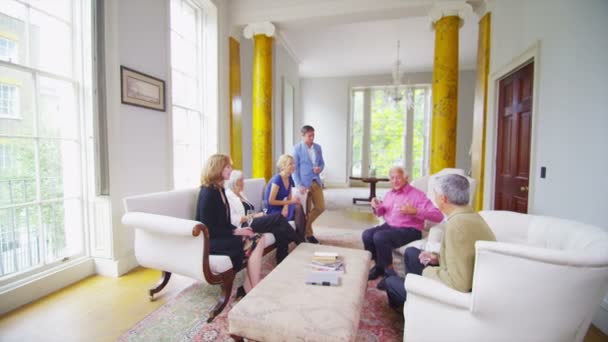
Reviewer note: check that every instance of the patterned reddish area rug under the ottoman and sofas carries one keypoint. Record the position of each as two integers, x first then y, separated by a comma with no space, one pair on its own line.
183,318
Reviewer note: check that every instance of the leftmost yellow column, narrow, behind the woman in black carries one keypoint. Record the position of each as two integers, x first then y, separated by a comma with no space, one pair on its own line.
236,115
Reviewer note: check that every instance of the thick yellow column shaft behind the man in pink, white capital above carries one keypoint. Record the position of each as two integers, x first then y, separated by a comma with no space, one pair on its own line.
445,94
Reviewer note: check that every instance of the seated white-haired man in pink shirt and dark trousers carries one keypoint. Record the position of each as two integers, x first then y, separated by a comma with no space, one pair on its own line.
404,209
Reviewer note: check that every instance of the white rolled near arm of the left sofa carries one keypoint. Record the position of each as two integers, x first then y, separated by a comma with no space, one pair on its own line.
162,224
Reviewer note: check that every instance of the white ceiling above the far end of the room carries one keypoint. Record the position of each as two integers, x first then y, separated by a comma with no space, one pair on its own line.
355,37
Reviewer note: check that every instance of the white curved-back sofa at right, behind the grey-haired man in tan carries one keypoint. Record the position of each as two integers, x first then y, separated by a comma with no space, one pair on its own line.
542,281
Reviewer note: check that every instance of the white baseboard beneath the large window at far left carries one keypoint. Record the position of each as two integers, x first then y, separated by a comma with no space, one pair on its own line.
45,283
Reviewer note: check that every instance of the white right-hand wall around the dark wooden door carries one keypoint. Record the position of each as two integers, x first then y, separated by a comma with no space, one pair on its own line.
571,118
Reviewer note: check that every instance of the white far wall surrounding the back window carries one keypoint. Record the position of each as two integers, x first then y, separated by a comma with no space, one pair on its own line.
325,106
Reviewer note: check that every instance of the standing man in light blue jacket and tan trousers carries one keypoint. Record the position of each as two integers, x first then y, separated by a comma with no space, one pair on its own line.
309,164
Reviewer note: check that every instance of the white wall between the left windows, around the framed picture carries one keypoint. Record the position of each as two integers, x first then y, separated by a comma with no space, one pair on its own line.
139,139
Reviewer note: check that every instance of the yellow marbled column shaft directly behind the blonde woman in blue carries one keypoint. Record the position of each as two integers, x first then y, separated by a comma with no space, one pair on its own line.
262,107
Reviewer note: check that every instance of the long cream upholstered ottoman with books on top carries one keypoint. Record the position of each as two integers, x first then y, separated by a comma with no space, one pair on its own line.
283,308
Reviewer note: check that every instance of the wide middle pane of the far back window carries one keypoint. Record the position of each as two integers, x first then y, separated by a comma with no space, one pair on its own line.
386,134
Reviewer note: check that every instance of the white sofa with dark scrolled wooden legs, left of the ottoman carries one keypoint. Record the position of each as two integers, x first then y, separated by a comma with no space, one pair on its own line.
168,239
